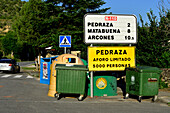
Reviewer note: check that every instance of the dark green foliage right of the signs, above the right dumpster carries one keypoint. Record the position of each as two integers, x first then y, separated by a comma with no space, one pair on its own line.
153,46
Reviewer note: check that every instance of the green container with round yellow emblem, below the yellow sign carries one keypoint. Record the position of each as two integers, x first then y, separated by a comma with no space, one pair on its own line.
104,84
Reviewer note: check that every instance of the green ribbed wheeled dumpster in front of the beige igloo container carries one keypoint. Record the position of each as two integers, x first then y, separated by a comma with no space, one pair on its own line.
70,79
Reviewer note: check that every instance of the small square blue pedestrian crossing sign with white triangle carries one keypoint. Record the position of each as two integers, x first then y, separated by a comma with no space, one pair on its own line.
64,41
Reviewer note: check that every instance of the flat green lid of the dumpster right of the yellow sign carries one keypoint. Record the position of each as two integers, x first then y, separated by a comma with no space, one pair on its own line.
147,69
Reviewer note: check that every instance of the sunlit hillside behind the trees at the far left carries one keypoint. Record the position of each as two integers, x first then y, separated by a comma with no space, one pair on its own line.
8,9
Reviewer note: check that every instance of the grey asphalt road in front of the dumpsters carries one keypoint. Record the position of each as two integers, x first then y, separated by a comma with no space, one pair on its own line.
24,94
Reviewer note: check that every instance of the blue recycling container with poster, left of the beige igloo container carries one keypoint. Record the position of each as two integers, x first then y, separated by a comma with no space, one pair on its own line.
45,71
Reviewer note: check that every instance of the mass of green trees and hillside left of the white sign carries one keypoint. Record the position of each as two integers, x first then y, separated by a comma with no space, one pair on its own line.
39,23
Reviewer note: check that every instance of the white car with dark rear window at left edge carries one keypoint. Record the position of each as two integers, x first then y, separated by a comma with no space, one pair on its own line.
9,65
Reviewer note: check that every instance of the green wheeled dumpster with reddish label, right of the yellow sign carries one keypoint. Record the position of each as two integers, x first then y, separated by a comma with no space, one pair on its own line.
142,81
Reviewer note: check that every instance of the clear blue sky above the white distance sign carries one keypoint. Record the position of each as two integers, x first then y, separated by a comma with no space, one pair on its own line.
135,7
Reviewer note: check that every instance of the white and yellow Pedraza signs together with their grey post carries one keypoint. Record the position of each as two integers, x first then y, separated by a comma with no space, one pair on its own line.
110,29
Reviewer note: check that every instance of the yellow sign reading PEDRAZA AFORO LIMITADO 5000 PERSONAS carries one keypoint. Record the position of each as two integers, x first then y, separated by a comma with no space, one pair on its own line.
110,58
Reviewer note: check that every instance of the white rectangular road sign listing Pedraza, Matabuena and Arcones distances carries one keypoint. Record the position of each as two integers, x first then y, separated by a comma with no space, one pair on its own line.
99,28
